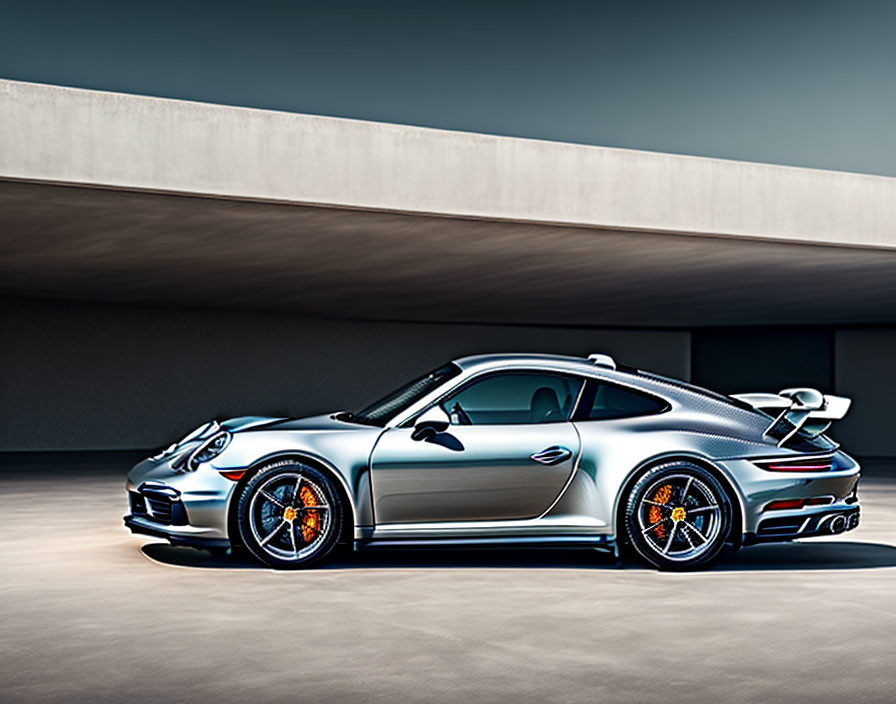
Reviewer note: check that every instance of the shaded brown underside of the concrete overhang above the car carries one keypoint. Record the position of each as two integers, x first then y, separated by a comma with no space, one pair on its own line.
118,245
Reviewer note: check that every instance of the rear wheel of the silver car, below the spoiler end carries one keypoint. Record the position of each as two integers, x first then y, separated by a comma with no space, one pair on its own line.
678,516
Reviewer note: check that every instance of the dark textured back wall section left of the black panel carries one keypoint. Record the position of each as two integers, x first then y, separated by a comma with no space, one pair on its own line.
103,376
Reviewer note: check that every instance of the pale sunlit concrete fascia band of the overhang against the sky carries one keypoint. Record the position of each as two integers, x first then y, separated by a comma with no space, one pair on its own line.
91,137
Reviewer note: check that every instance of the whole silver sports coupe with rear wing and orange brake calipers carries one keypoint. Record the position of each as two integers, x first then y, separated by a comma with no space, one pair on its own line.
499,450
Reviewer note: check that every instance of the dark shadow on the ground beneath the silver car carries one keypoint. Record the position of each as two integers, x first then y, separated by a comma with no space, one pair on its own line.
814,555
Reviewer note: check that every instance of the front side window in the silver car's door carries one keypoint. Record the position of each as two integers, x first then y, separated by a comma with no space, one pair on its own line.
511,398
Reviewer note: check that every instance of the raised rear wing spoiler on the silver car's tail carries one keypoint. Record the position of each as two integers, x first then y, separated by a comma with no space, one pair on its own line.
793,410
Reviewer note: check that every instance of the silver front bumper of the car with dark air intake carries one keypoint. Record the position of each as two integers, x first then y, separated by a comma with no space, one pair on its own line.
186,508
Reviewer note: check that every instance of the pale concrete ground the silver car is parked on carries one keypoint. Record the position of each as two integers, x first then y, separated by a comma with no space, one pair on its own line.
90,613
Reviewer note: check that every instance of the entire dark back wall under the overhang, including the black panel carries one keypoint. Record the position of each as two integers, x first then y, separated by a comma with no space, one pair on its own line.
81,376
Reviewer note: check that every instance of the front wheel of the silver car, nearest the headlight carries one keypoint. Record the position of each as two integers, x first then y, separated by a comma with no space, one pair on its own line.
289,515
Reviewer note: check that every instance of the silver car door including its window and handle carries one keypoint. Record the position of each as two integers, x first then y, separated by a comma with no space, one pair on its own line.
507,454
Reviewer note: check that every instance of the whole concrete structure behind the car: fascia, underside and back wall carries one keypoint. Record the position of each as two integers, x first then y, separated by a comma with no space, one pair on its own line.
80,376
